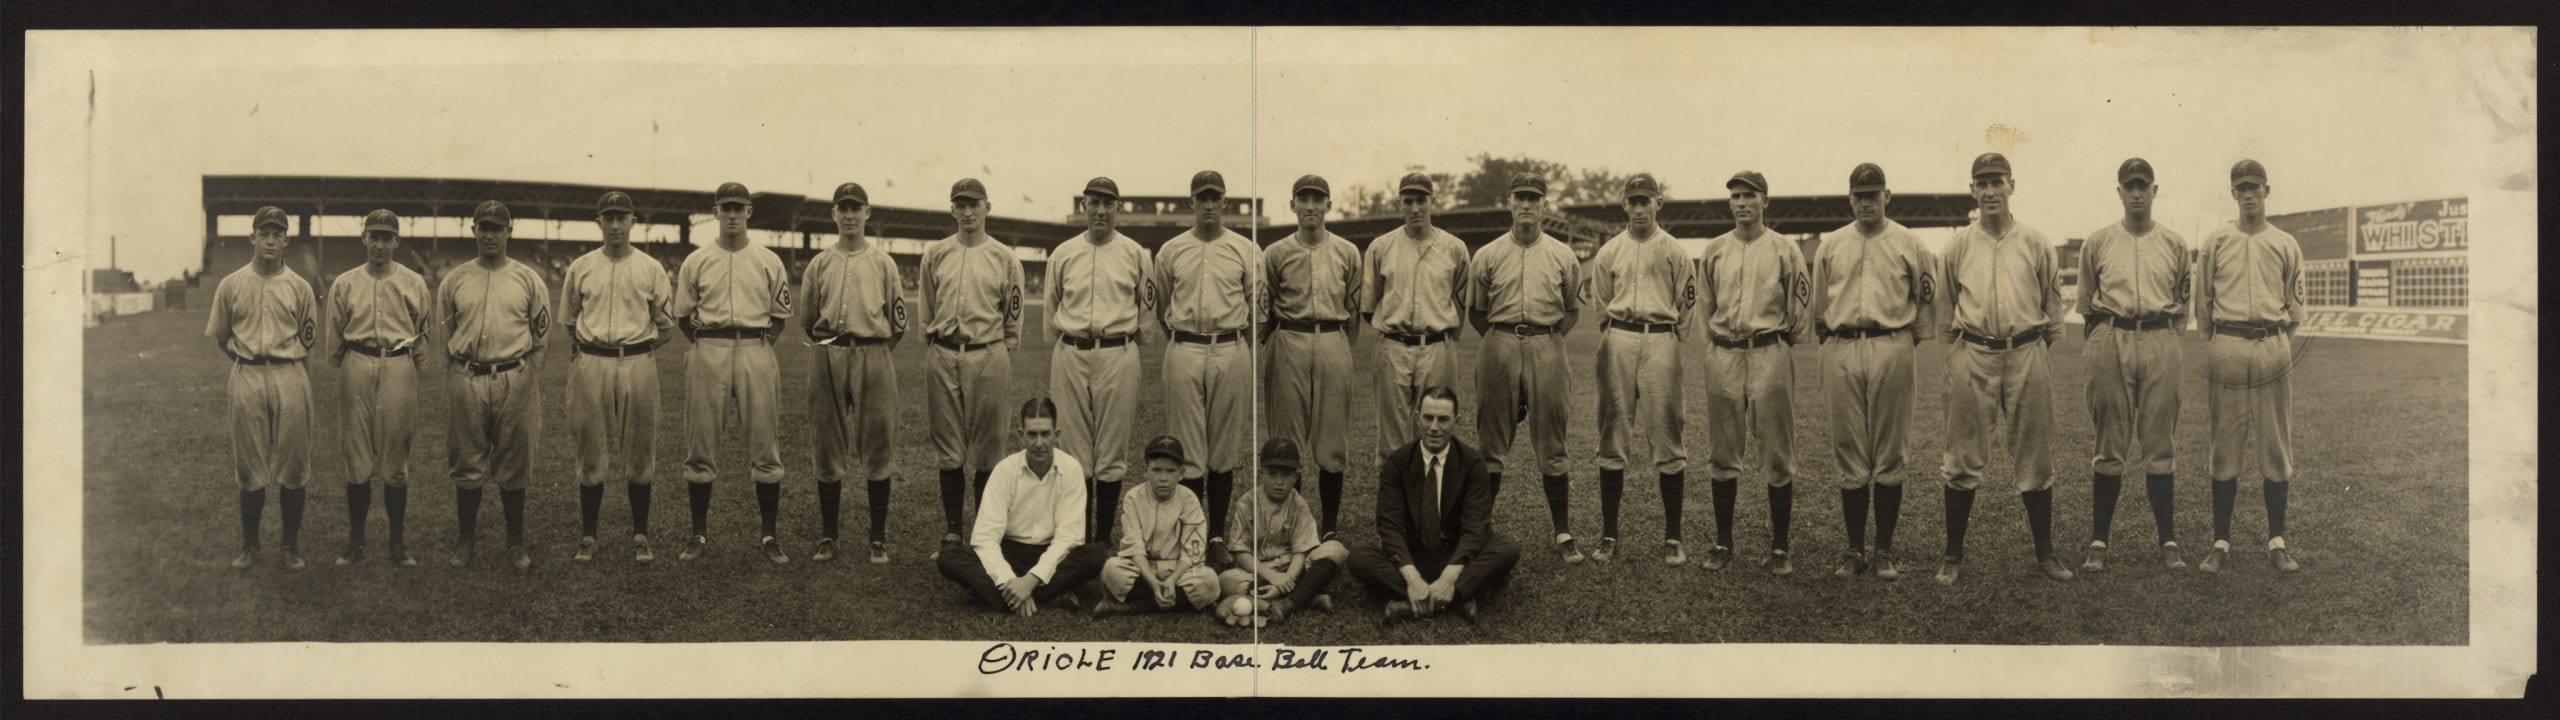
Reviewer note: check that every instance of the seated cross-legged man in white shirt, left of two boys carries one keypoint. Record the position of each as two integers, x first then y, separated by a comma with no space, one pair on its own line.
1028,544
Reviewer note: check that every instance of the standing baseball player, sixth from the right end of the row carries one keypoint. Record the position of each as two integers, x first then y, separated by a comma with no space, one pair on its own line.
1647,288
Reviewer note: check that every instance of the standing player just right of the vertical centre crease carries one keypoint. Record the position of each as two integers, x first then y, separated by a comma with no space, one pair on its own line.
1315,288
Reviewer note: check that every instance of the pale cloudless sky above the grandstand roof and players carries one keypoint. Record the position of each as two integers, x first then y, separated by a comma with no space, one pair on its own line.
2341,117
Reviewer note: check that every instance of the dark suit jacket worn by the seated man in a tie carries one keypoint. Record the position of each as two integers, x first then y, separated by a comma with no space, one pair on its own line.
1412,529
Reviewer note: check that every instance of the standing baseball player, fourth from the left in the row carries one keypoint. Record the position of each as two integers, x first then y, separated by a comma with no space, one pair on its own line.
616,311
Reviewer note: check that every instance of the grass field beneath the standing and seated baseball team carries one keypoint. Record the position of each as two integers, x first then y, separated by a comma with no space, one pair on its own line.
2377,519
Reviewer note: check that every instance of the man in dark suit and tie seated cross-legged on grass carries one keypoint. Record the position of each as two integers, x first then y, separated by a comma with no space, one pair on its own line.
1435,524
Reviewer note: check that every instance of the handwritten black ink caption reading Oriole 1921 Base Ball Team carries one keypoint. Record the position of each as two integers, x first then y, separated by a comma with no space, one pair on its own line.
1018,660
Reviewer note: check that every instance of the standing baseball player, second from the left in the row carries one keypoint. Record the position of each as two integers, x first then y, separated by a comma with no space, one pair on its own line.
380,314
